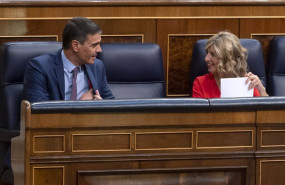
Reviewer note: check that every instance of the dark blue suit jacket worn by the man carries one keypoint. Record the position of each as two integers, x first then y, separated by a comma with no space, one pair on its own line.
44,78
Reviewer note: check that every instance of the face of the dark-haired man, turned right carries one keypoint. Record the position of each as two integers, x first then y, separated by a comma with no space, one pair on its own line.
88,51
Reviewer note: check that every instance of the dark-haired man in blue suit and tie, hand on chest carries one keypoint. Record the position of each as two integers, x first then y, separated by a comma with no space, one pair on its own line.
73,73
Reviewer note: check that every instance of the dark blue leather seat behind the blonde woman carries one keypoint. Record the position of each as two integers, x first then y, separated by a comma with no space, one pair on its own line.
255,60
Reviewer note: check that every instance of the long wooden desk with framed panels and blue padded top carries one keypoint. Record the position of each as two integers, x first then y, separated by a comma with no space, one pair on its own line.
180,144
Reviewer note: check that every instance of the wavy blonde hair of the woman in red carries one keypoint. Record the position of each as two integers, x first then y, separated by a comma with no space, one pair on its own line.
232,56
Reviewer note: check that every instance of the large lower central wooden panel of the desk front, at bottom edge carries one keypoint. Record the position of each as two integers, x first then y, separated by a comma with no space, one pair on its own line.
154,172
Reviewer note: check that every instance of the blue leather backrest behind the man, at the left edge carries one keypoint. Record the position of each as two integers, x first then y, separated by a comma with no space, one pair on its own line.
13,59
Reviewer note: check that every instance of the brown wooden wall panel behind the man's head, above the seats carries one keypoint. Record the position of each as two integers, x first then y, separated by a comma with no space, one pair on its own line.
117,30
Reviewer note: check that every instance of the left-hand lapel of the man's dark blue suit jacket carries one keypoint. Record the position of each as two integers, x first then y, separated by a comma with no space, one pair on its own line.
60,74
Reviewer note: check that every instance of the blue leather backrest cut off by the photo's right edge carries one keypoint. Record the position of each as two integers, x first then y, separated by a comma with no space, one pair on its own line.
276,67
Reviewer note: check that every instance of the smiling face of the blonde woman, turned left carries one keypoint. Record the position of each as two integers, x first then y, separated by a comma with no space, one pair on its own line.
212,60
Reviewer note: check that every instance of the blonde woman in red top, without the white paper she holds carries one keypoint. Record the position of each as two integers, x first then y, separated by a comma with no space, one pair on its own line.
226,58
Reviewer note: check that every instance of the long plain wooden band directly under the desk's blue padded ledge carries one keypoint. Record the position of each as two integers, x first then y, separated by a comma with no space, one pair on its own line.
128,119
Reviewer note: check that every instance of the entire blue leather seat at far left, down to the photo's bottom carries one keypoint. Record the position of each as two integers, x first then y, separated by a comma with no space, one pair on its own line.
13,59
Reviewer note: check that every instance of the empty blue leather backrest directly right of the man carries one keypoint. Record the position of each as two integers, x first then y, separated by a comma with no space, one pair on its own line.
134,70
